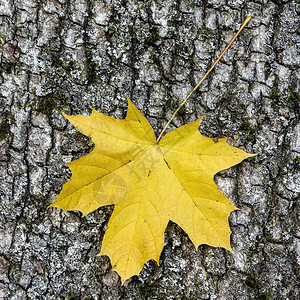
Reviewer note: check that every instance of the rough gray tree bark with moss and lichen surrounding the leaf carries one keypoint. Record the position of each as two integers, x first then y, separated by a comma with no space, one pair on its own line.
73,55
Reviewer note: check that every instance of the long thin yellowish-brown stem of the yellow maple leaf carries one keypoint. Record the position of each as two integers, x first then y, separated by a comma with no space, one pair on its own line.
204,77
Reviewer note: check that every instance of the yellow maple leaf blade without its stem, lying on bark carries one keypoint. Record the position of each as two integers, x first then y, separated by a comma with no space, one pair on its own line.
149,183
